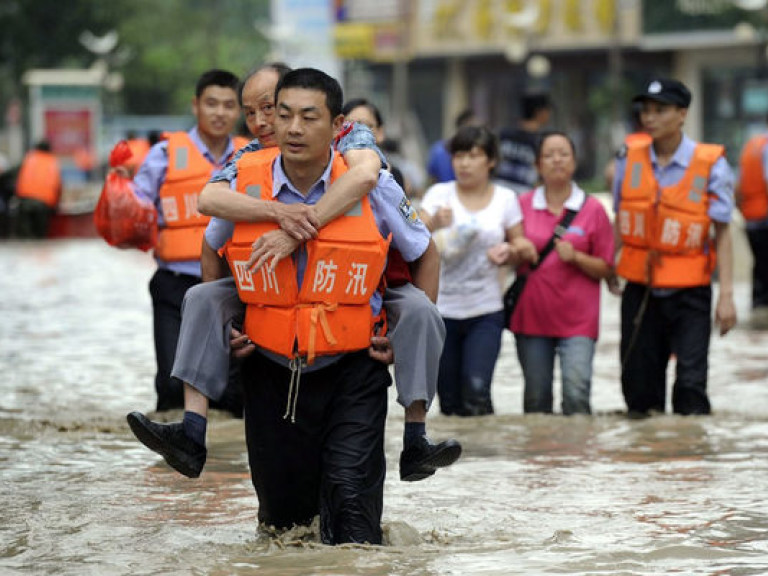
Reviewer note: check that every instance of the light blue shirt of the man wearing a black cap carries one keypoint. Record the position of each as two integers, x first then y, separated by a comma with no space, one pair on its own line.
719,186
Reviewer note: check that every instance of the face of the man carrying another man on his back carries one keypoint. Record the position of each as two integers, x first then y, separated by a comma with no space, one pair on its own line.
304,127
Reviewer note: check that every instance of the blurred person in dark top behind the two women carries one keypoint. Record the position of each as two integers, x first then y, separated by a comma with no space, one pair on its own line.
517,146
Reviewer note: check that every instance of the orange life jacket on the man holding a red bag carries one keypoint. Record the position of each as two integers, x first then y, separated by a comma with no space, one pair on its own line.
188,171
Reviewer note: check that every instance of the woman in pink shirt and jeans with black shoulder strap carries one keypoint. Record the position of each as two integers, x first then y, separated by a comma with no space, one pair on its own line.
559,310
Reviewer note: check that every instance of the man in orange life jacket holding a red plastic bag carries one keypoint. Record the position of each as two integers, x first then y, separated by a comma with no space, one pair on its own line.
171,177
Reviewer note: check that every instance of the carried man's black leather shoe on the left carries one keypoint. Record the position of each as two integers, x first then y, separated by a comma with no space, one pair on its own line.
170,441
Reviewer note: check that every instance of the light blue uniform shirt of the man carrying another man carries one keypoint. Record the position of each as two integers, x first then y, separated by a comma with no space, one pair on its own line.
392,212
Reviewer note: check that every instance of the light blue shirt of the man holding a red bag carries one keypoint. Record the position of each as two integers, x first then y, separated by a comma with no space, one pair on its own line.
150,178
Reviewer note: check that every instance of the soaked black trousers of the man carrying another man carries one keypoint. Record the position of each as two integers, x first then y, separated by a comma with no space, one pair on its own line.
327,456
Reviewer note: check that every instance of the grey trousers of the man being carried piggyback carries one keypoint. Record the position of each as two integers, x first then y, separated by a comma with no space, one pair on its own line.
416,331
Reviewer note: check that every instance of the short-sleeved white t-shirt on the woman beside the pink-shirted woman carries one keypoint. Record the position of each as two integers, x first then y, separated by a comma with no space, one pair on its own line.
469,284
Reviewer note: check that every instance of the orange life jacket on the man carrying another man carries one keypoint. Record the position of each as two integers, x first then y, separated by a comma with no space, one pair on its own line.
330,312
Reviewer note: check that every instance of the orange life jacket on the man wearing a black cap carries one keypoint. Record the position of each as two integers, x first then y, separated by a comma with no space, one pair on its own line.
664,231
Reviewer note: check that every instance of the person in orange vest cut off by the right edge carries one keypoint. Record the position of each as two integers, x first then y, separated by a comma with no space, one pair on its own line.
752,200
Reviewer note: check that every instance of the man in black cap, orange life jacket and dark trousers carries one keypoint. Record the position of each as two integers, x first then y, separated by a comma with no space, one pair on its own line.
670,193
